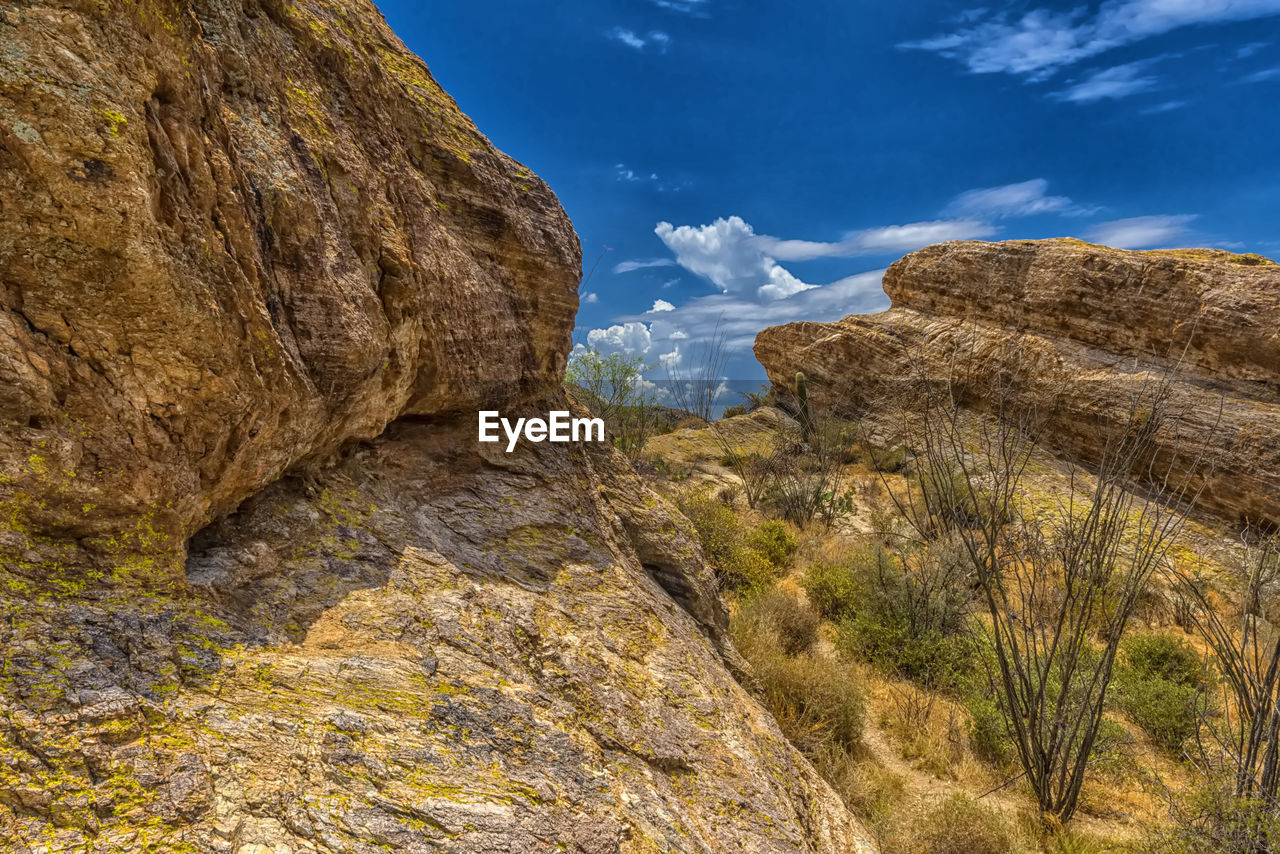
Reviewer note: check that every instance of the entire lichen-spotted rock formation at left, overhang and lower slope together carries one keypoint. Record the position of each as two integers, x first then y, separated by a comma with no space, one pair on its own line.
262,590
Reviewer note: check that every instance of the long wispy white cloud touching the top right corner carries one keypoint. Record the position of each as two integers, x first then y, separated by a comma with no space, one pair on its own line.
1043,42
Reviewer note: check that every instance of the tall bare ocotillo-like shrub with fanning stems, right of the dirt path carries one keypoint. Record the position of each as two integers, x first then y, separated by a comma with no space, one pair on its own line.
1058,584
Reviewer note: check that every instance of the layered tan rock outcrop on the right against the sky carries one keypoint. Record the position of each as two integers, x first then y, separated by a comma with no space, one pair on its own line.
1082,330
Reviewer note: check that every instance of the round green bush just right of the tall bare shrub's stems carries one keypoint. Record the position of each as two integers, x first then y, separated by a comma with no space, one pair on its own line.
1160,687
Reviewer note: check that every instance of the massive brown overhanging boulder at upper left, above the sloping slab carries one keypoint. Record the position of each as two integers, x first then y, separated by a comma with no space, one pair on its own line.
232,239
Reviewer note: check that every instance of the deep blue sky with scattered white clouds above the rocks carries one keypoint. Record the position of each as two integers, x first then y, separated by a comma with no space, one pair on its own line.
747,163
